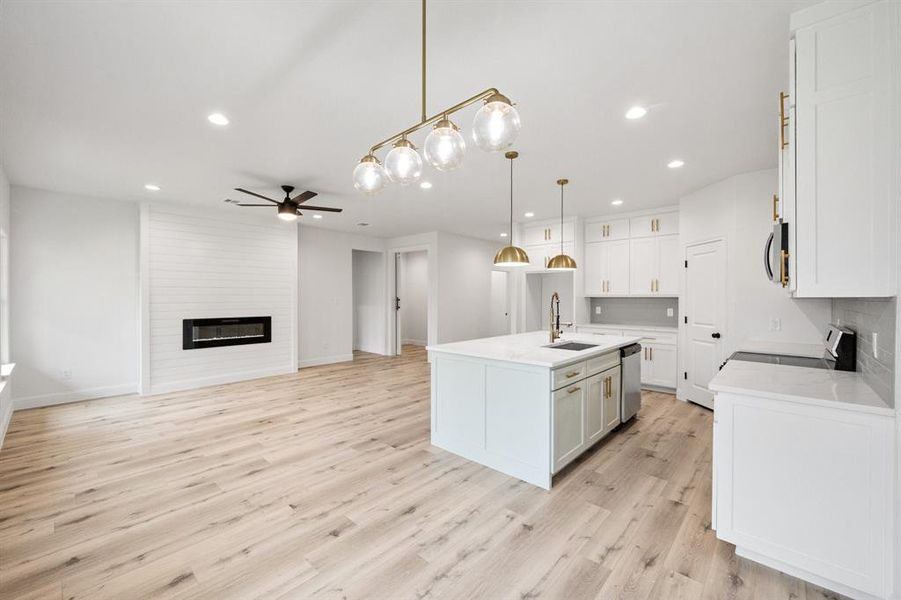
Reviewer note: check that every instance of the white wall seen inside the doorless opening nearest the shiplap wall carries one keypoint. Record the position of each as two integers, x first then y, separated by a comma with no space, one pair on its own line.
368,301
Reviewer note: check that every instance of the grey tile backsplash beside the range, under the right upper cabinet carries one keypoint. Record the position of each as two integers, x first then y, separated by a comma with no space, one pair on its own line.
867,316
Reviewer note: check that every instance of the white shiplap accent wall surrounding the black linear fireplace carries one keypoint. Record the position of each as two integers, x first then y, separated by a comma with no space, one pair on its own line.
213,264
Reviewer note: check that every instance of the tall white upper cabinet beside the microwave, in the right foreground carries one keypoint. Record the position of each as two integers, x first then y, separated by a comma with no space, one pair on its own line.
846,154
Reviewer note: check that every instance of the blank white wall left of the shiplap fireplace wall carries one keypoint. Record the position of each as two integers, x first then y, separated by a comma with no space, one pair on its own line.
74,304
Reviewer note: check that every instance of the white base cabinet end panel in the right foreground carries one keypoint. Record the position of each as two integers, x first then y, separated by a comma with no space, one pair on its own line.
806,489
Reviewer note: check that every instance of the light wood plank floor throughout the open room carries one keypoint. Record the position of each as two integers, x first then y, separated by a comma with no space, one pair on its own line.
323,484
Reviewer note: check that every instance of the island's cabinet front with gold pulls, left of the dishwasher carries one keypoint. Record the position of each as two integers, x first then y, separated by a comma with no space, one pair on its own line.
584,411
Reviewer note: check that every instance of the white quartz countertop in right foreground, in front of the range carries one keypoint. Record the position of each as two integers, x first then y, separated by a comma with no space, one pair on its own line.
824,387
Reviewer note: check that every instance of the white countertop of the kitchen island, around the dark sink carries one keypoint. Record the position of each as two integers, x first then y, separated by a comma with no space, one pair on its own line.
530,348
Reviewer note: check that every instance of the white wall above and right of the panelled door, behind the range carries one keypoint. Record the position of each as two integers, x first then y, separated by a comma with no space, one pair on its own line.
739,210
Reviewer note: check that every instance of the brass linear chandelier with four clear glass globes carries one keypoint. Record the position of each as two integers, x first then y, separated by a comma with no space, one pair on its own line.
494,128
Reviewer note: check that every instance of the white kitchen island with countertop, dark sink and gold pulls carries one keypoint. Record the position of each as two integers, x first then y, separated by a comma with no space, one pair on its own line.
524,406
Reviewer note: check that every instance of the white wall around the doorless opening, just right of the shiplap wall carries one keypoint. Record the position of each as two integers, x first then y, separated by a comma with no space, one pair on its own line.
325,293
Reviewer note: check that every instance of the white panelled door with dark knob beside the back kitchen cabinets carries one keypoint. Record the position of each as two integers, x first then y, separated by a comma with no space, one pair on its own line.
705,317
